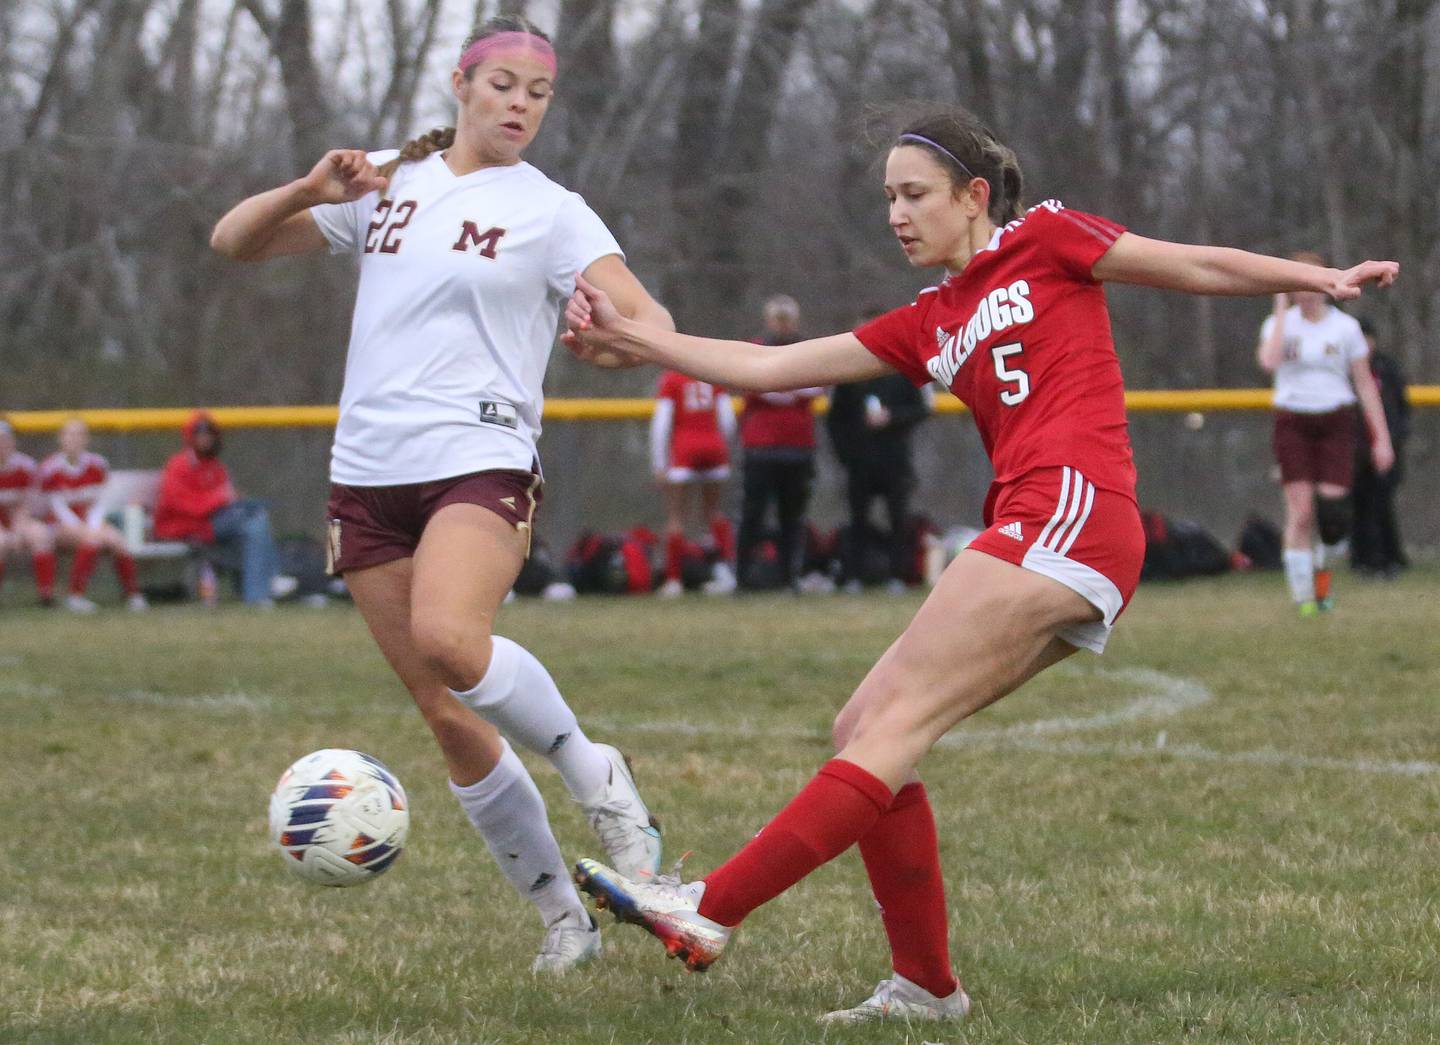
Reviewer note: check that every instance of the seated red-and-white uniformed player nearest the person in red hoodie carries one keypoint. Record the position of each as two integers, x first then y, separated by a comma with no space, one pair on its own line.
71,483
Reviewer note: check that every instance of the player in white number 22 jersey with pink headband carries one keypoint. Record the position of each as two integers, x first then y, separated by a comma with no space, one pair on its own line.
466,258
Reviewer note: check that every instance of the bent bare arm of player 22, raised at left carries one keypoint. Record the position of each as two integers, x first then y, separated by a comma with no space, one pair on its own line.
279,224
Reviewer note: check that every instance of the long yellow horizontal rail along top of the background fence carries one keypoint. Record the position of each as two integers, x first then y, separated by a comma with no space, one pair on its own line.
161,420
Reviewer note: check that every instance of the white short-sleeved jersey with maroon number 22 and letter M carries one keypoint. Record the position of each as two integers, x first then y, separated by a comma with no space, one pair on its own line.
462,287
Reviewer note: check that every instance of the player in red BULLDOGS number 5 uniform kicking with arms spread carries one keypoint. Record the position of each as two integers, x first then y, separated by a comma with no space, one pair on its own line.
1019,330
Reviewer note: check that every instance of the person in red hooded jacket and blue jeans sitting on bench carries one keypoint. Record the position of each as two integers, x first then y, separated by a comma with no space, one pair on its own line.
198,503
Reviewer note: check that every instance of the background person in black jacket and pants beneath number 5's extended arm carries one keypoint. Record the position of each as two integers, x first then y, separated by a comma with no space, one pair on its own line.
870,425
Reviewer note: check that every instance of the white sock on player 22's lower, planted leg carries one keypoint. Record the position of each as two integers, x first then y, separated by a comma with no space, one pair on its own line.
509,813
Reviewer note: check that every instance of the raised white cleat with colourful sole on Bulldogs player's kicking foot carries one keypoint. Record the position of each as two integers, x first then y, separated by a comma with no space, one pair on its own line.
663,906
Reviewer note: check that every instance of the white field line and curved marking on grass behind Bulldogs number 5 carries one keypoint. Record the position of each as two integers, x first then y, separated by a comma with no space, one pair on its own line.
1169,696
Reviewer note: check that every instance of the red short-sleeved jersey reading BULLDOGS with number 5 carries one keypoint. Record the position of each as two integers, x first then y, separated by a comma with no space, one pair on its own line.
1023,339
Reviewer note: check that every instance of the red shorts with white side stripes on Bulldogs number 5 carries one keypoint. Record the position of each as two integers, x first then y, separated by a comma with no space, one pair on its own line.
1059,525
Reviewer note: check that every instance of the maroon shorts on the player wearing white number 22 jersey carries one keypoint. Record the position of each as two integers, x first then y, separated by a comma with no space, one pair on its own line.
371,526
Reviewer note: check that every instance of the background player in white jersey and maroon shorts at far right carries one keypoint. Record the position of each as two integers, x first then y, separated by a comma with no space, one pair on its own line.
1321,366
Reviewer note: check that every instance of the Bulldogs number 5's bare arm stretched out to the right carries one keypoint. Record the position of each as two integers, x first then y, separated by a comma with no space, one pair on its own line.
1226,271
